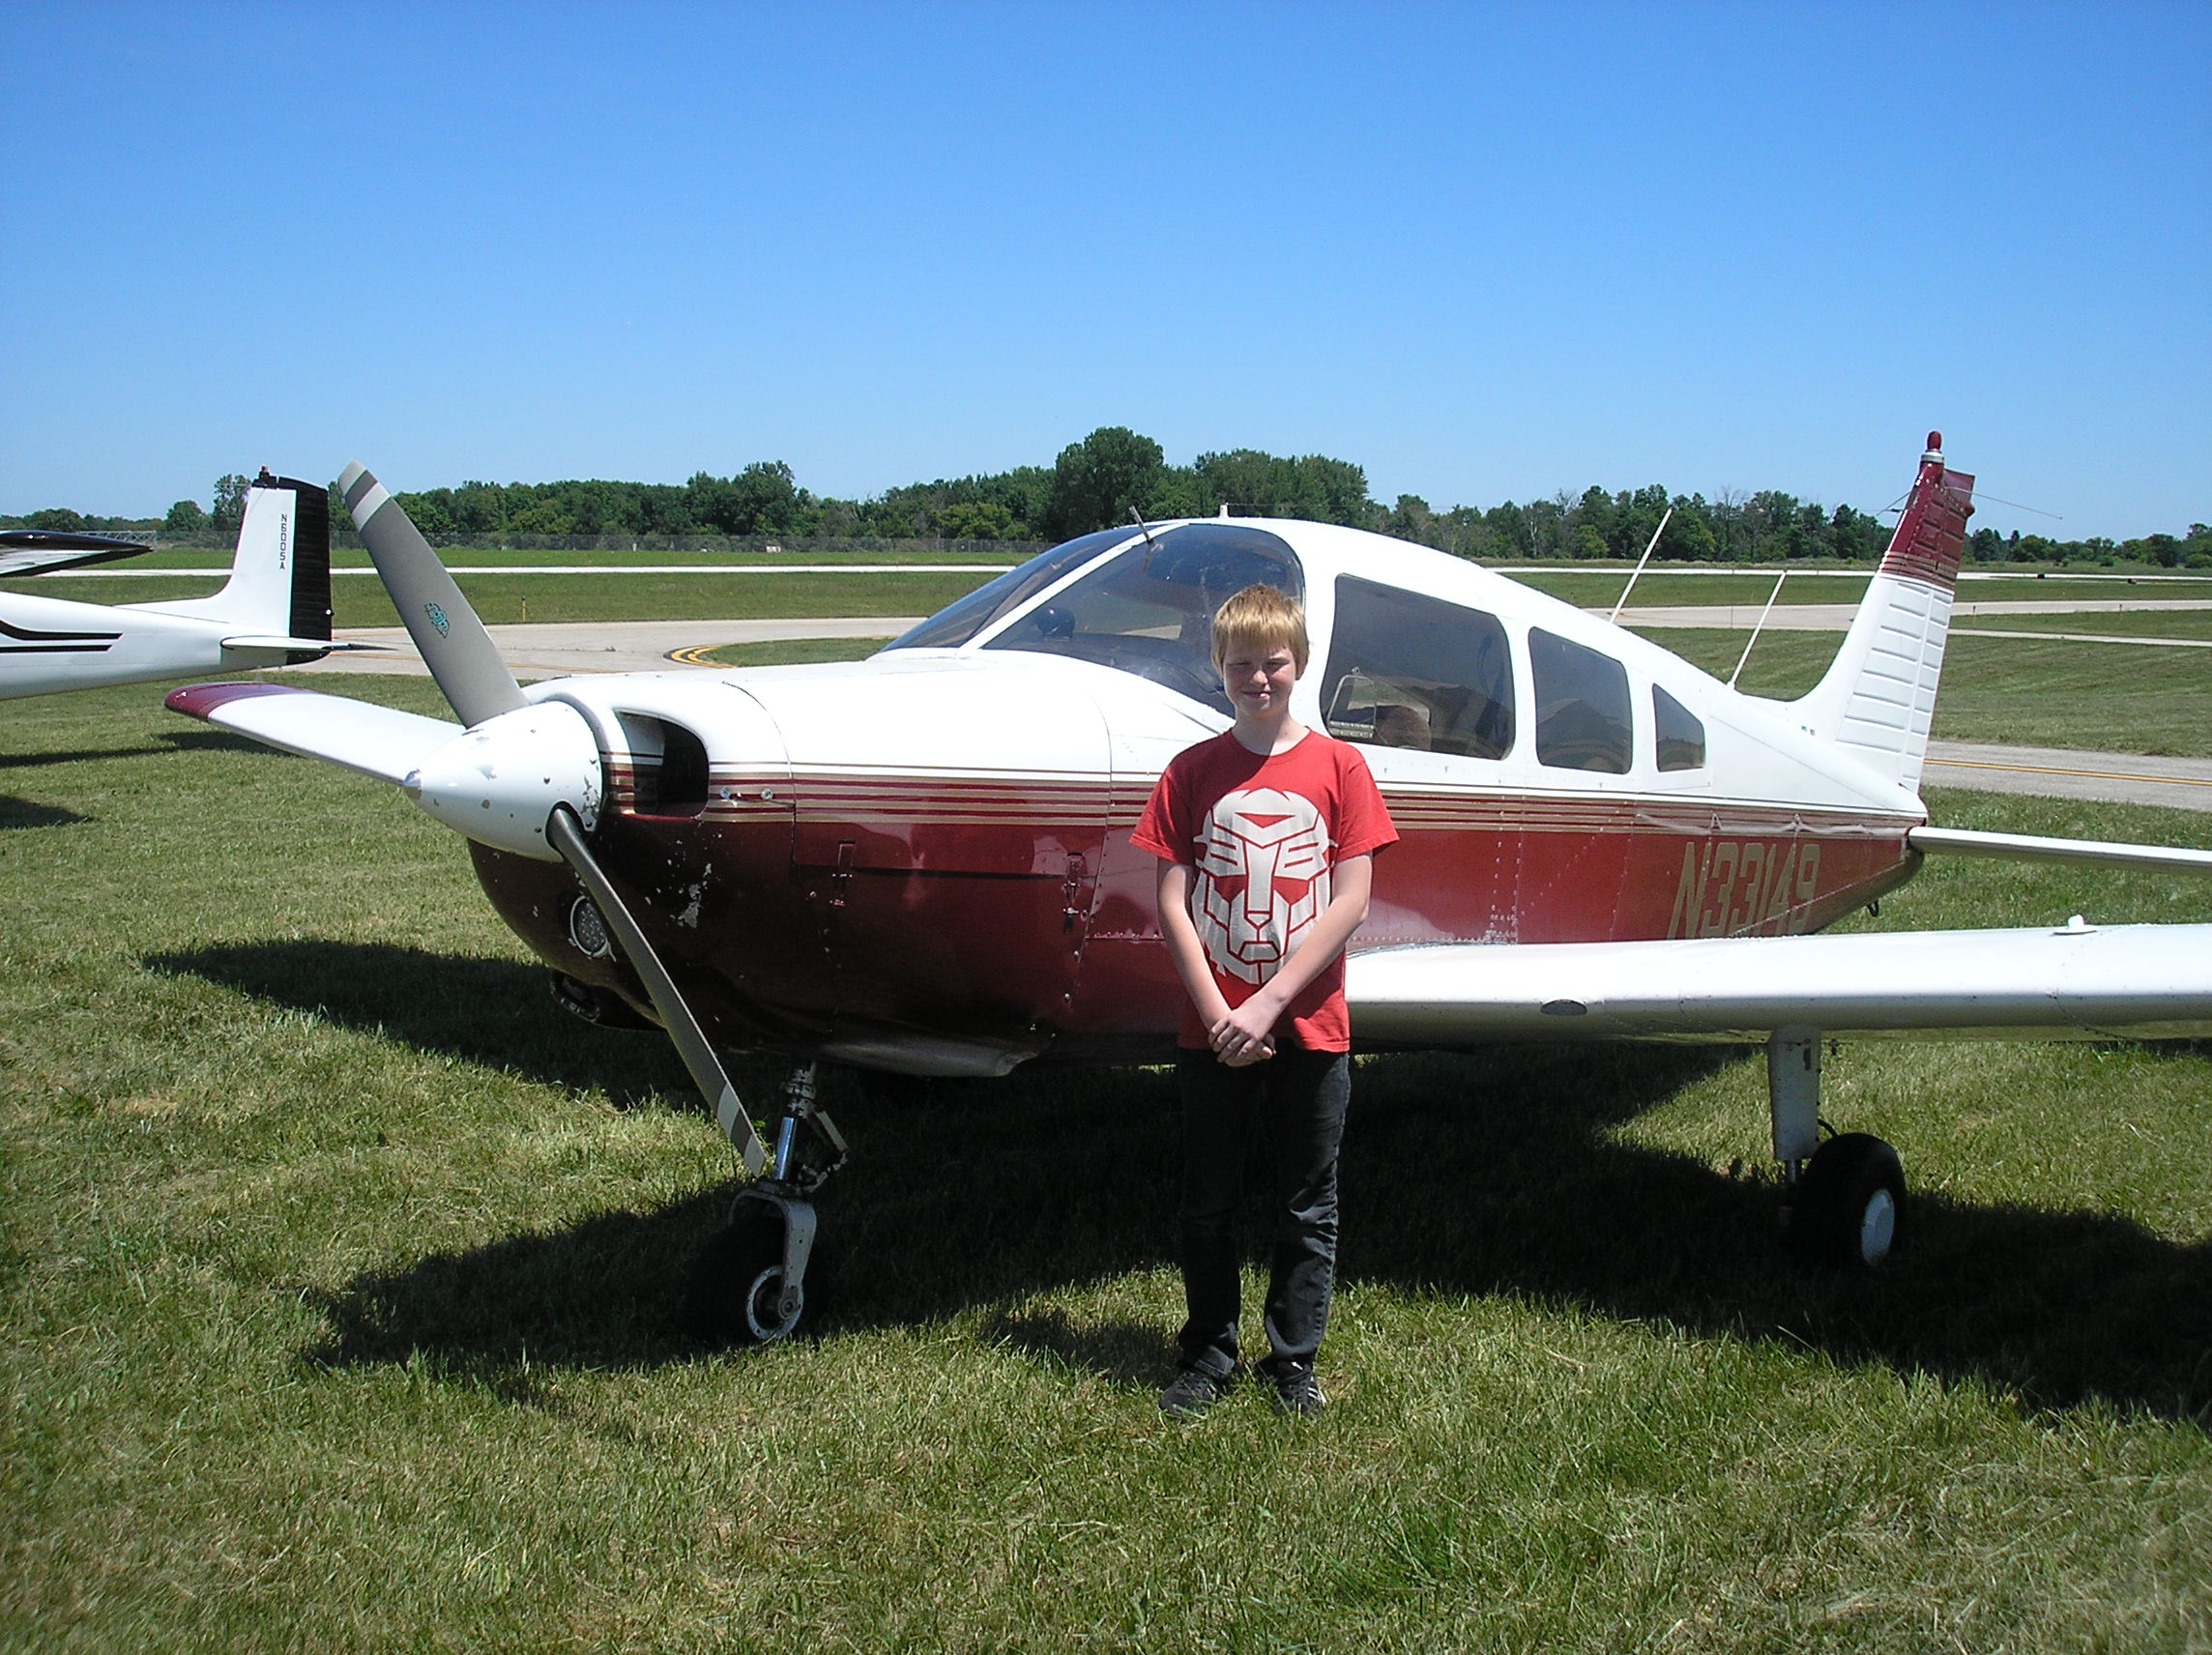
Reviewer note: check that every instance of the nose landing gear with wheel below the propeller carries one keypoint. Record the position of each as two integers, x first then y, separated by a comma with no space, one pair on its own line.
751,1282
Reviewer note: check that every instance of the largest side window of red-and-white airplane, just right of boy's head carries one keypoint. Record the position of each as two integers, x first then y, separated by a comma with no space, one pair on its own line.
1412,672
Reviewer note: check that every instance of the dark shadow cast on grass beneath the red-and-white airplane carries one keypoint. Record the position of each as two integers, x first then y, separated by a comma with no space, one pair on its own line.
1490,1174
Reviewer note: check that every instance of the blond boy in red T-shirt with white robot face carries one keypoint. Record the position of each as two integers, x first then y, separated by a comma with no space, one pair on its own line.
1264,837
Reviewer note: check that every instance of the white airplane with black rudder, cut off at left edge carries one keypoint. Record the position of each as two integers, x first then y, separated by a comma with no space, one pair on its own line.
273,612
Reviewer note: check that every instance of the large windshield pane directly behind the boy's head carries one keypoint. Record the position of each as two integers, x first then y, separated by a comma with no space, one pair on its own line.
1151,612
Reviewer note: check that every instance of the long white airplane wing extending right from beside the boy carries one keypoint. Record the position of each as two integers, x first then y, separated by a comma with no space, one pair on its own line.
2080,981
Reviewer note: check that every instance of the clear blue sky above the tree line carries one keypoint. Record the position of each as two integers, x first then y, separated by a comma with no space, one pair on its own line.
1483,251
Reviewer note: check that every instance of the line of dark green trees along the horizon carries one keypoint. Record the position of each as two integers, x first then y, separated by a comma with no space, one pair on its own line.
1118,472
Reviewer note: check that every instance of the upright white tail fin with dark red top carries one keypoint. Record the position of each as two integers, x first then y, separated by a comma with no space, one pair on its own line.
1879,694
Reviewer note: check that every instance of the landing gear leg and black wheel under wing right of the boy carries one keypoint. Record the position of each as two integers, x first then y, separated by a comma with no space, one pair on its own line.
1846,1198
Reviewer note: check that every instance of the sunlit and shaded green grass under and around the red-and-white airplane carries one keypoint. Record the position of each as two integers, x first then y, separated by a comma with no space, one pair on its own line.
340,1273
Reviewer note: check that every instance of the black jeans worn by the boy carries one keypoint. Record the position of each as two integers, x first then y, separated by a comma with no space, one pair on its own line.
1302,1096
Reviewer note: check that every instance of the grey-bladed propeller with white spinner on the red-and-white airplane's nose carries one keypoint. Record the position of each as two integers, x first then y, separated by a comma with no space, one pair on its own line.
481,782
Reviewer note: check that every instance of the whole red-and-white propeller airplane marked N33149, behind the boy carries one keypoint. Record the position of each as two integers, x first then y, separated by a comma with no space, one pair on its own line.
921,862
